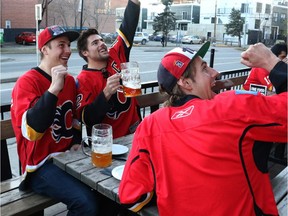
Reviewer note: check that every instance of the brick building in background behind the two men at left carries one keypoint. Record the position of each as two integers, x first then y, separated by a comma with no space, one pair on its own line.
18,16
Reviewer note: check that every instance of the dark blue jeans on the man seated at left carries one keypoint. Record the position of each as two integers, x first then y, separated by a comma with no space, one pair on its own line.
50,180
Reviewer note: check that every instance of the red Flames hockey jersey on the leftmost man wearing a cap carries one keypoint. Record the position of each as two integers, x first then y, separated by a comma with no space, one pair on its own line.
36,144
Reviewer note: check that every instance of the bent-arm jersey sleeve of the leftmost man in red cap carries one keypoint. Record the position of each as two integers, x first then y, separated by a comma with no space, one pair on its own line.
30,106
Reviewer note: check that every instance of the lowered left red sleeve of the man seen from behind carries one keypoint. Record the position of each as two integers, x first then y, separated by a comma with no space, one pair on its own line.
137,184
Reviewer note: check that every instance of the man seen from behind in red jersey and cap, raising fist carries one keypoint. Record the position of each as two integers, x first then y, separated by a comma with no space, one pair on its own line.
198,154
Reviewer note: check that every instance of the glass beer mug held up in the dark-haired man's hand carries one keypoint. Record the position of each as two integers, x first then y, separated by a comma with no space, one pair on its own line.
131,82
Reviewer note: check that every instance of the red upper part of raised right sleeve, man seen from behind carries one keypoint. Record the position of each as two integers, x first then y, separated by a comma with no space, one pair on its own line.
263,117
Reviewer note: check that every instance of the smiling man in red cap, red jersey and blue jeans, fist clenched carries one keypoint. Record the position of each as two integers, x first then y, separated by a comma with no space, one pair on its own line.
43,117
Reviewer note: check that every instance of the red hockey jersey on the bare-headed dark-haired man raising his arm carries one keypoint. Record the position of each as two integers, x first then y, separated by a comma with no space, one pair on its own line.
120,112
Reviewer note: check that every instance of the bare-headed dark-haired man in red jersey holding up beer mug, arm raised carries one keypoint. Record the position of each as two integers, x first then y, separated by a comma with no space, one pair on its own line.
98,99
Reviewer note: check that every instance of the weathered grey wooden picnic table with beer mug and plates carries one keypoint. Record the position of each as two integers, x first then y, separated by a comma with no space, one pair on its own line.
79,165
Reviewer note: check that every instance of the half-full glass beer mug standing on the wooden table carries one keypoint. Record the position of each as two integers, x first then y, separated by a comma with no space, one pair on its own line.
101,145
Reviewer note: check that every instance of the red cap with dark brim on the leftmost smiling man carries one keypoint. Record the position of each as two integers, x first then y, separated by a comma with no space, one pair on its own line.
52,32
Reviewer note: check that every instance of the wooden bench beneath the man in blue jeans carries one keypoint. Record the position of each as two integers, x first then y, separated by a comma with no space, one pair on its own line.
14,201
